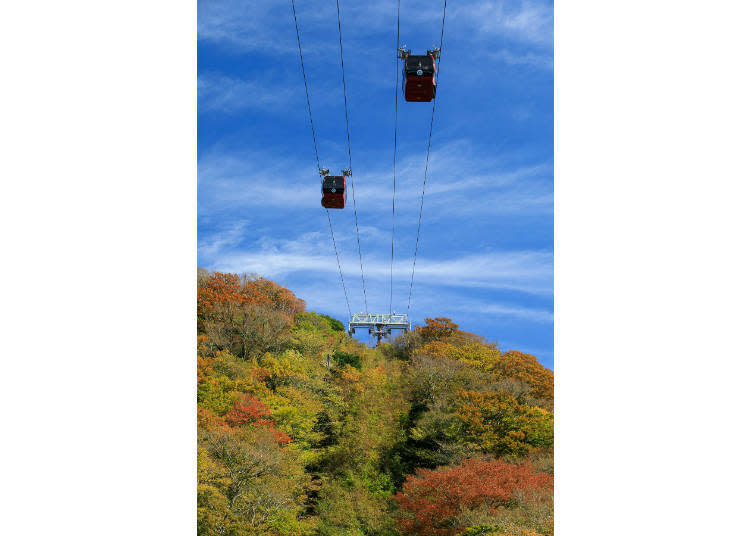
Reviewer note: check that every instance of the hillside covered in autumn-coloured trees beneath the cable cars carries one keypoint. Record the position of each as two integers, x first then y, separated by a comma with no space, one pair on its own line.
303,430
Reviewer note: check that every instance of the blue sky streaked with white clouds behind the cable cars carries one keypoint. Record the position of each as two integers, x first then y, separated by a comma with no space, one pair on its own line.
486,246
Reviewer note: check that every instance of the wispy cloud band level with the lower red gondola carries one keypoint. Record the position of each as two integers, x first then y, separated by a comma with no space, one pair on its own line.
453,181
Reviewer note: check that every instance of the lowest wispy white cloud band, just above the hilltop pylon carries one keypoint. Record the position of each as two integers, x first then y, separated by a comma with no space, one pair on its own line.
307,266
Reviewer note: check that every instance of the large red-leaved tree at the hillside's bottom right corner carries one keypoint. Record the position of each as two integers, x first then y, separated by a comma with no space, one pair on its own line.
432,499
